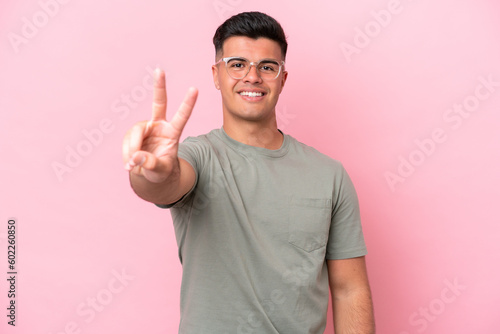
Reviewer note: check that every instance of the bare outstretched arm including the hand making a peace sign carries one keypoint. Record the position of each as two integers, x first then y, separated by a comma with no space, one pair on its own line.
150,150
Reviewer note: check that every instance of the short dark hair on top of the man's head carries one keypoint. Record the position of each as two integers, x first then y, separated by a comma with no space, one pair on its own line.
252,25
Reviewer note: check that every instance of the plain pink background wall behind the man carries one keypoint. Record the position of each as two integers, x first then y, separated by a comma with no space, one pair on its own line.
436,225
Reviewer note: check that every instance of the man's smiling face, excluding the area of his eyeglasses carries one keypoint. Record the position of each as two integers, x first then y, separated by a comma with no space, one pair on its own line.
241,106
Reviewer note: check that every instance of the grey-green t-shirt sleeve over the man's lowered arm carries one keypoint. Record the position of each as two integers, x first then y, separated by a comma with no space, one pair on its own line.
346,238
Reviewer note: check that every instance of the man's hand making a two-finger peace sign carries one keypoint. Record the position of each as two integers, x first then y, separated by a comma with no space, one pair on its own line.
150,147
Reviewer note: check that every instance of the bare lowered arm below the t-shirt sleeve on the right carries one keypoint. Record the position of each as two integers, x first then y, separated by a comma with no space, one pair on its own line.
351,296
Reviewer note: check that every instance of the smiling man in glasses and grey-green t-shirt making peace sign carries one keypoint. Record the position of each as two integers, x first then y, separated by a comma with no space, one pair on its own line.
263,222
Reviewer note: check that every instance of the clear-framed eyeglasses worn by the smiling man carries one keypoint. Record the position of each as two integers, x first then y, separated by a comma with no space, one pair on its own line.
239,67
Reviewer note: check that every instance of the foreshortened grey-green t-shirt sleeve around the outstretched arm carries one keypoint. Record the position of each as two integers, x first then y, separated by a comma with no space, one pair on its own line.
190,150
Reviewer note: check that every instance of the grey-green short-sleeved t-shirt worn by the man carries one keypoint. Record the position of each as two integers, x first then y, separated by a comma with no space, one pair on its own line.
254,234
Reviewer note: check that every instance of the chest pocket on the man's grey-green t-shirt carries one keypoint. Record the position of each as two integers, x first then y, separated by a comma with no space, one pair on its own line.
309,222
